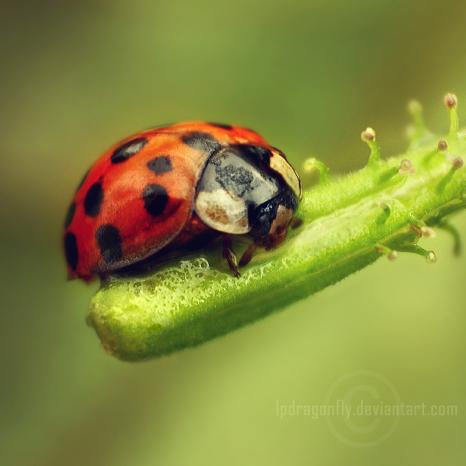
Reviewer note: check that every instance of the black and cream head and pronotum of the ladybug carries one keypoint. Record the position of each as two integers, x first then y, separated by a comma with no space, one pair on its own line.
248,189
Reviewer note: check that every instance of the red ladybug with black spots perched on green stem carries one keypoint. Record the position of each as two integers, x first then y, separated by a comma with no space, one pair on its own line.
166,187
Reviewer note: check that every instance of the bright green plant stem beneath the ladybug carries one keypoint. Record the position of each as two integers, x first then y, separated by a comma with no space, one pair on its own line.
193,299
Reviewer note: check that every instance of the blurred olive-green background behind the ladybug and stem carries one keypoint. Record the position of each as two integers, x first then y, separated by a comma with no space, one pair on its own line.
310,75
